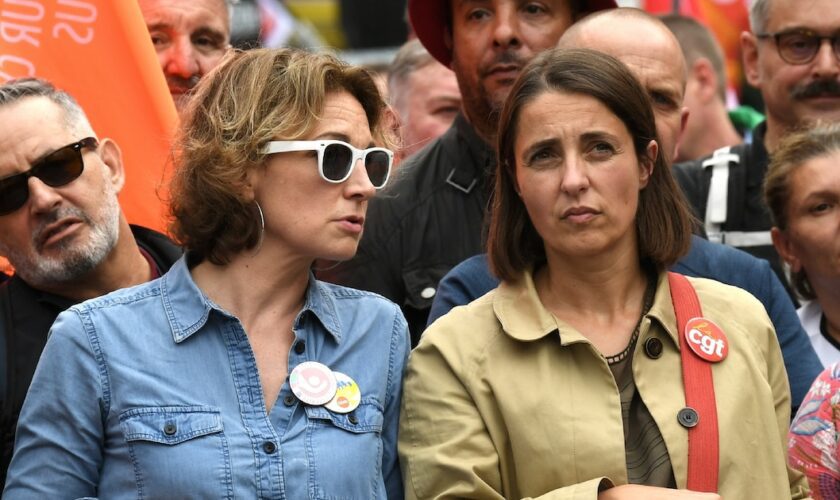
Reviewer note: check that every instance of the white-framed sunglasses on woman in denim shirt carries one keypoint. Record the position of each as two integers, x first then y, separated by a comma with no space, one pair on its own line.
336,159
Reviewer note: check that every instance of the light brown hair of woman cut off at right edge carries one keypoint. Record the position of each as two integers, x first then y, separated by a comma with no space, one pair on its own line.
793,151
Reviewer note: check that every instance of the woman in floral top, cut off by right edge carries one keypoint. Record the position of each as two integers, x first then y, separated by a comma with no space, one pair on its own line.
802,190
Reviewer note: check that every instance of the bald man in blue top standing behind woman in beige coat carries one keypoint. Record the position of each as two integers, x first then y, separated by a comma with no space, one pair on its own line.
654,56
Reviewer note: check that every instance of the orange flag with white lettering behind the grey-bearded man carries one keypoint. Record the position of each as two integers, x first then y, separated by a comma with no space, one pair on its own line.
100,52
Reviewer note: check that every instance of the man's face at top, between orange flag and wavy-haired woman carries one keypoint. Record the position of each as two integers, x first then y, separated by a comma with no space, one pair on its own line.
190,37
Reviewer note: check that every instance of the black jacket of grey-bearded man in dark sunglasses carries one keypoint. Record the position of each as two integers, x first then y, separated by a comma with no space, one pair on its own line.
26,315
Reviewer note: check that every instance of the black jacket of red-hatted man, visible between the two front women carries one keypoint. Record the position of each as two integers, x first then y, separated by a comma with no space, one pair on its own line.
427,220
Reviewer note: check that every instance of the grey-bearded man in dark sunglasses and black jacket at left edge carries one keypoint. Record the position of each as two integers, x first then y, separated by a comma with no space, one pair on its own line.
61,227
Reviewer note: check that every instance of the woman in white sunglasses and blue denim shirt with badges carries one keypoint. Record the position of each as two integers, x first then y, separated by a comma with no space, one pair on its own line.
237,374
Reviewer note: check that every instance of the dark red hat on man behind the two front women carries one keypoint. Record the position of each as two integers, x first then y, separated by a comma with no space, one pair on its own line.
429,19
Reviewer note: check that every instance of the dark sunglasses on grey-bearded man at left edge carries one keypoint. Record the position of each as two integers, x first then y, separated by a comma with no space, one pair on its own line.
62,166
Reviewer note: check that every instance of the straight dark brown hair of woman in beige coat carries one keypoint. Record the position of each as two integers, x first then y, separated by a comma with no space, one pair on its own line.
663,220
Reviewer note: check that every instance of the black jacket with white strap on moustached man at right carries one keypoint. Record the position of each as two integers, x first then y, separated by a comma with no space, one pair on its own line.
746,210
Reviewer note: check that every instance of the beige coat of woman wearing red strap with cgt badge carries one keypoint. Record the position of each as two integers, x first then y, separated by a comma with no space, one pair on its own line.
502,400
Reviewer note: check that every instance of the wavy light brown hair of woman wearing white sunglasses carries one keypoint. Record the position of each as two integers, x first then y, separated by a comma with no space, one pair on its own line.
251,98
